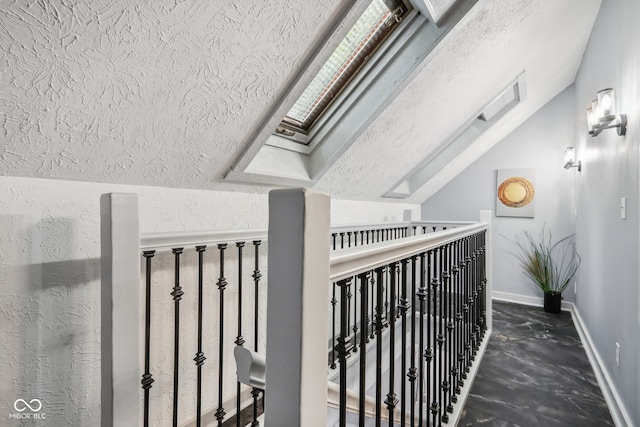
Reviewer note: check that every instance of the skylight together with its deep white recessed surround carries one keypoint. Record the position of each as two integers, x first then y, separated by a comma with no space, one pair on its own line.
375,50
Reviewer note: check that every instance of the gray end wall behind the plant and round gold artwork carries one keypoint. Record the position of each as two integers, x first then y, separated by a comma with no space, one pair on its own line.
538,143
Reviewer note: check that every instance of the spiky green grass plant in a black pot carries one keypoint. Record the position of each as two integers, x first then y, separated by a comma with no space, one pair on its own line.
550,266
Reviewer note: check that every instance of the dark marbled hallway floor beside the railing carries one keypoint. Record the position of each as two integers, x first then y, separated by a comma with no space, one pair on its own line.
535,372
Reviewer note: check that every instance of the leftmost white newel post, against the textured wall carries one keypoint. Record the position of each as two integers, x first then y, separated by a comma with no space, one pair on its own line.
120,312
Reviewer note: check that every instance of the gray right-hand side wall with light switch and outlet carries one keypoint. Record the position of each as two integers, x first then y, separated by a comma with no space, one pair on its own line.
608,295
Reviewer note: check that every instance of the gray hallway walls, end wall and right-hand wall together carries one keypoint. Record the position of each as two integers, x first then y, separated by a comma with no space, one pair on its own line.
607,299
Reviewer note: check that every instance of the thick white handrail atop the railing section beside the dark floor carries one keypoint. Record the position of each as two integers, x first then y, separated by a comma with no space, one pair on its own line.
351,261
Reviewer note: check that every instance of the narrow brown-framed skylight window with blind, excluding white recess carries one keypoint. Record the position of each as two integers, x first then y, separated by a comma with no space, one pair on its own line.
365,37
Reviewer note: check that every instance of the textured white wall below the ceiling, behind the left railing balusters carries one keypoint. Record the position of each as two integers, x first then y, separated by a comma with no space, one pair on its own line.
50,276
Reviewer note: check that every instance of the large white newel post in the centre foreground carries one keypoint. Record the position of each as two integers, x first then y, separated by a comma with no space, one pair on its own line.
298,297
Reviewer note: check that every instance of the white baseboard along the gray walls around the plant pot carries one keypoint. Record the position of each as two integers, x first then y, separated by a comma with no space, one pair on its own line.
617,409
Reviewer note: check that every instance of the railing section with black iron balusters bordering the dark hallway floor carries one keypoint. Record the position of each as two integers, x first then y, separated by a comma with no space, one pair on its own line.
430,293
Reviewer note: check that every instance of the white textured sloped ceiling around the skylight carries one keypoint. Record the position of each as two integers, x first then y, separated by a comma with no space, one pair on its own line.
168,93
